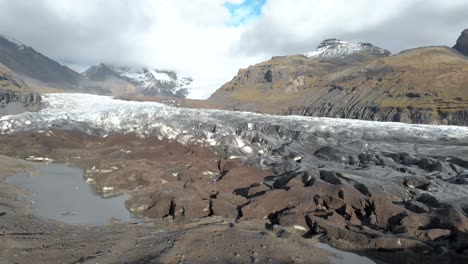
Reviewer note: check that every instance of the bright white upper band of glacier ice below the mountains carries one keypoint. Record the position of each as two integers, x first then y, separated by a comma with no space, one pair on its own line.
104,115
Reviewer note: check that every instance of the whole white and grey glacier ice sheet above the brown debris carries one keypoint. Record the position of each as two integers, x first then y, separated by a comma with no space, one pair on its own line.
375,153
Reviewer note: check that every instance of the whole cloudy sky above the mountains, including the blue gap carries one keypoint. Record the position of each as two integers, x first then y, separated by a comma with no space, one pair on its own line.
211,39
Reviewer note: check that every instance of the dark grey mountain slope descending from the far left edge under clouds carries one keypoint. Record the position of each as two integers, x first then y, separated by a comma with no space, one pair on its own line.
32,65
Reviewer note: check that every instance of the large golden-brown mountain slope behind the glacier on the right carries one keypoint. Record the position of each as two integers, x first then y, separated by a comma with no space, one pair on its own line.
424,85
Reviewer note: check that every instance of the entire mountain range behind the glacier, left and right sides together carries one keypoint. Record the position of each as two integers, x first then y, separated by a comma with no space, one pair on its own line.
338,79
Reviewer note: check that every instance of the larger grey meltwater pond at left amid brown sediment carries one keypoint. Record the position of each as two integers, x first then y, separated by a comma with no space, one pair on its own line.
60,193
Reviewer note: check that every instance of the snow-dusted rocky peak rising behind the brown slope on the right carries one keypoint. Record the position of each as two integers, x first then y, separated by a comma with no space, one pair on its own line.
334,48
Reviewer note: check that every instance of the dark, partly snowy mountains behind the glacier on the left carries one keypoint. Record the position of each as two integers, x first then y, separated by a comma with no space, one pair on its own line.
44,74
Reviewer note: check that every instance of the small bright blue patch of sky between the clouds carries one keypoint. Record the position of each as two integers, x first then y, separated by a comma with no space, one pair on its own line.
245,11
